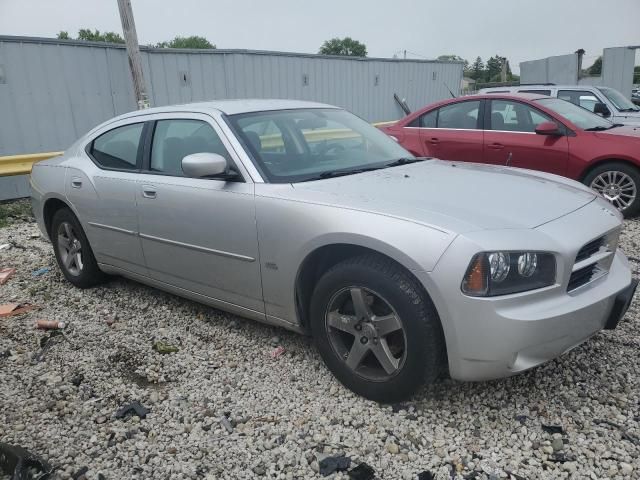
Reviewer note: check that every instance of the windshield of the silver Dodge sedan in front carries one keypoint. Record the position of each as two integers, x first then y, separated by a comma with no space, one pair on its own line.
308,144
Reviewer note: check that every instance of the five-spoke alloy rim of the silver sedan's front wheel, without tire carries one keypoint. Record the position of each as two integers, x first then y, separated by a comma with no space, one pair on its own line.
366,332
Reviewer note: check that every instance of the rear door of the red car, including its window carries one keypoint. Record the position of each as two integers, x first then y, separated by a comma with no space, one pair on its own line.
453,132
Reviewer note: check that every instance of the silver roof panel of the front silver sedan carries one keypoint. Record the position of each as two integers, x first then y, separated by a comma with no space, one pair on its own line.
230,107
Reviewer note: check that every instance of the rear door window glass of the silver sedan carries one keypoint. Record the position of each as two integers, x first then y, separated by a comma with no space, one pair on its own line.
118,148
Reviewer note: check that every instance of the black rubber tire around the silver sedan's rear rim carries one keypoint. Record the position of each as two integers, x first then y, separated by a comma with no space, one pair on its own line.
87,274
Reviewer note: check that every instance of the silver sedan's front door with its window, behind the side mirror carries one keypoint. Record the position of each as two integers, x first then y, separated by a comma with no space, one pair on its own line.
198,234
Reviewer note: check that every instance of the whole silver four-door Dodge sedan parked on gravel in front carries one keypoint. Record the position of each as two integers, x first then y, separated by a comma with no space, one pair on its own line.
304,216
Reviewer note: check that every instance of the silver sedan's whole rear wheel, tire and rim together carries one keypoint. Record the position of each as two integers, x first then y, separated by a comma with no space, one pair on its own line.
73,252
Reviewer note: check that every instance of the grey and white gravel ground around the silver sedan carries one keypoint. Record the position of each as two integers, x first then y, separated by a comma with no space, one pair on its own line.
287,412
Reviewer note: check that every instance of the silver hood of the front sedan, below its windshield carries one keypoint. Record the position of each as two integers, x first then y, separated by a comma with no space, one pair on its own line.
451,196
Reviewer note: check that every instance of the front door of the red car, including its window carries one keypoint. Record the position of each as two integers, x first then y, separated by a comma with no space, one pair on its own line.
510,138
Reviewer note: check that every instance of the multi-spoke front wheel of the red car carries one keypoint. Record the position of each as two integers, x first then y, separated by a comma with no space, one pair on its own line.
619,183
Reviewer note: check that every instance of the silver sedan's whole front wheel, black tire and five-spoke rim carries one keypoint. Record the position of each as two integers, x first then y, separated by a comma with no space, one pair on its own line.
376,329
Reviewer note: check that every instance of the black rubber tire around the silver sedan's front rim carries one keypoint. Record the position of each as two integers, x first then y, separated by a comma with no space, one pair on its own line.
424,355
